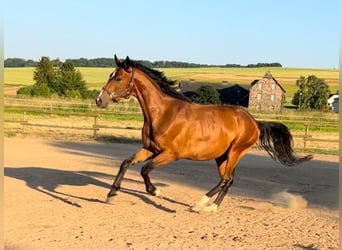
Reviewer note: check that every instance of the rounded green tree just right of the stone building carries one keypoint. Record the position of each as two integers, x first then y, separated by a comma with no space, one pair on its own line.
312,93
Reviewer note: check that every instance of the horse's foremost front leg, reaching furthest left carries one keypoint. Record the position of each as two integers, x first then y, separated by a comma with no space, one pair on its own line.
142,155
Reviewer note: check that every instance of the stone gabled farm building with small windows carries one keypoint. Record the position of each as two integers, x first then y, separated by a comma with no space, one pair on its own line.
266,94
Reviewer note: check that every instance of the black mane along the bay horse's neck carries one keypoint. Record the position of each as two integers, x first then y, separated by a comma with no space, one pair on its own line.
159,77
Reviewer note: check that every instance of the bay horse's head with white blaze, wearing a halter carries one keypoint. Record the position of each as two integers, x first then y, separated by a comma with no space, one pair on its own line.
119,84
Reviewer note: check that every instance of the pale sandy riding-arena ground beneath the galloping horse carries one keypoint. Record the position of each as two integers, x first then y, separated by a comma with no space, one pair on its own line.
55,193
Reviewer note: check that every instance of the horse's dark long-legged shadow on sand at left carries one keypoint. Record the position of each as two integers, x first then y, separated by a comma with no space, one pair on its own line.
46,180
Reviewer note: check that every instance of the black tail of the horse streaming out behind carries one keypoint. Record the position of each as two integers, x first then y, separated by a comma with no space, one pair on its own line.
277,140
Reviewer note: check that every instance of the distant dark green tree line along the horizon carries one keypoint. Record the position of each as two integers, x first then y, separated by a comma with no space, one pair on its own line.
109,62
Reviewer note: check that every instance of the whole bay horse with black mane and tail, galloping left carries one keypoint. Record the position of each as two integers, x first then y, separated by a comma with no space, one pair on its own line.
176,128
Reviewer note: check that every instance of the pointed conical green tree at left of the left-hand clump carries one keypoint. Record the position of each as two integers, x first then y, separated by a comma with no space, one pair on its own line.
44,72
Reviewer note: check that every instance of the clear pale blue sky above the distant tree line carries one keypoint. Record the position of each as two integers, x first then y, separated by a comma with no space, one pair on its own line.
295,33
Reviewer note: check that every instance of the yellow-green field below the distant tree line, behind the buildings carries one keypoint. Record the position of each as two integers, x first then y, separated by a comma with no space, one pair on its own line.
96,77
